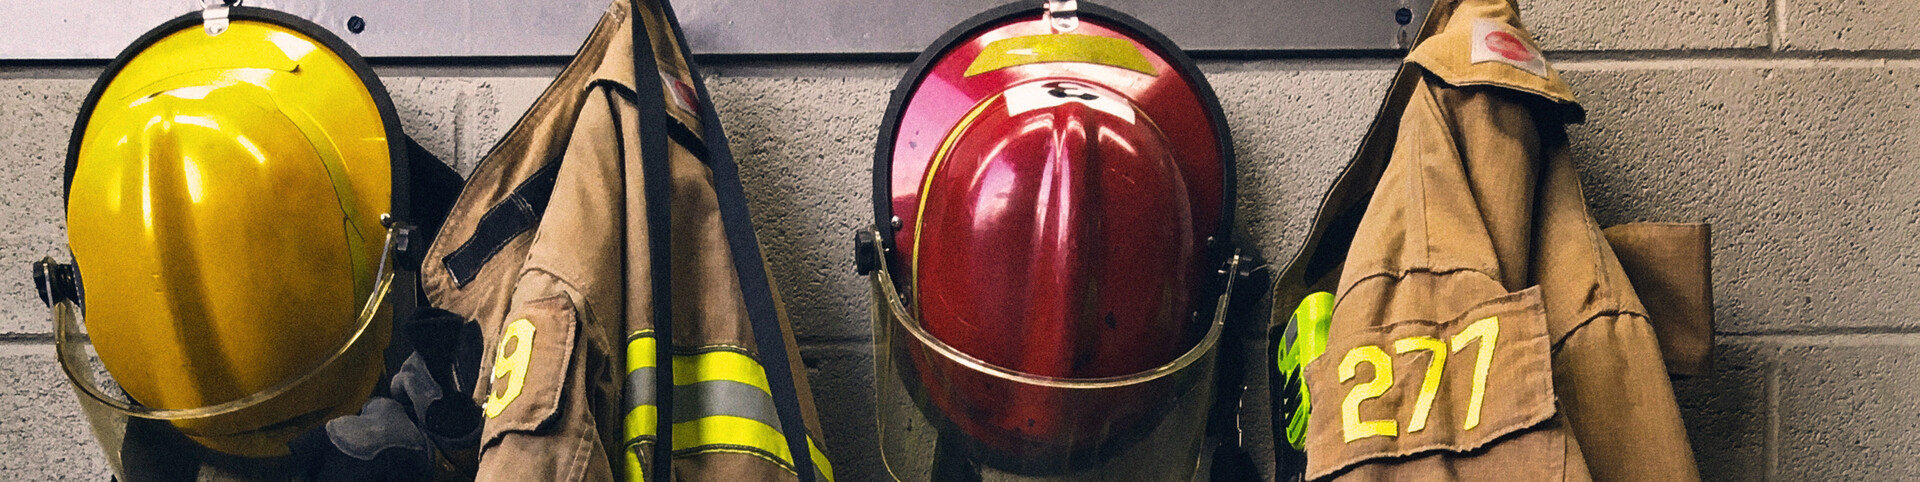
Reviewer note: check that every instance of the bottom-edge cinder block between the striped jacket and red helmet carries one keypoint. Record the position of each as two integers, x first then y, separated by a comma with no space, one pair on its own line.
842,377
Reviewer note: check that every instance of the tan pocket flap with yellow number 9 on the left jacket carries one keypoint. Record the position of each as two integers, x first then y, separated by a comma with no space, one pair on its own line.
531,358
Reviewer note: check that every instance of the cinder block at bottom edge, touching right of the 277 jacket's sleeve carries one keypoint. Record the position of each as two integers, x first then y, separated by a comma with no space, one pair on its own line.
1727,412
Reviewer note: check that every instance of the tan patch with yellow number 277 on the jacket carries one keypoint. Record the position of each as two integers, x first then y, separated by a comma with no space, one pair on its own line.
1420,385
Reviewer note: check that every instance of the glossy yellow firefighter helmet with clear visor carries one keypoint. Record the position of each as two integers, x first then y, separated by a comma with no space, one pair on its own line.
231,187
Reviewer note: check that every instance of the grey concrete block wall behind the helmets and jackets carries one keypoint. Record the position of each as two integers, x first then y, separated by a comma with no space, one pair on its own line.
1792,126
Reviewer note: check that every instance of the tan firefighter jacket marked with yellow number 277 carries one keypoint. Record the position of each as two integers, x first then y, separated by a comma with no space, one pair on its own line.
1485,327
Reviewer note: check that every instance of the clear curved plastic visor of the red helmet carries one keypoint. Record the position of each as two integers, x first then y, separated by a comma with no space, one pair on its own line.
948,416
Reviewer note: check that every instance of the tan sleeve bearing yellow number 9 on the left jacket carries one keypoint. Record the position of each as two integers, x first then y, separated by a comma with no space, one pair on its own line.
552,364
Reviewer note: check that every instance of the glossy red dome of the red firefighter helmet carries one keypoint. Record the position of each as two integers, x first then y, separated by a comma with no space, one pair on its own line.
1057,237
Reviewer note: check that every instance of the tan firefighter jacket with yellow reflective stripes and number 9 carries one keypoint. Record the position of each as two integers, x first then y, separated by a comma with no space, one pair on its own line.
606,224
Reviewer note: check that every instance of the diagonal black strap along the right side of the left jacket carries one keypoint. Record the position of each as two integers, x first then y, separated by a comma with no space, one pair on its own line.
748,266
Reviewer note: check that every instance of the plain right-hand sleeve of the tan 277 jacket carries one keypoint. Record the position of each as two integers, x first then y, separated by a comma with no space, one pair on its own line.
1608,366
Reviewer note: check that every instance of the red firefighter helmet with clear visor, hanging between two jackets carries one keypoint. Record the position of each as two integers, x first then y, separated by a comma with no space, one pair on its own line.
1049,199
